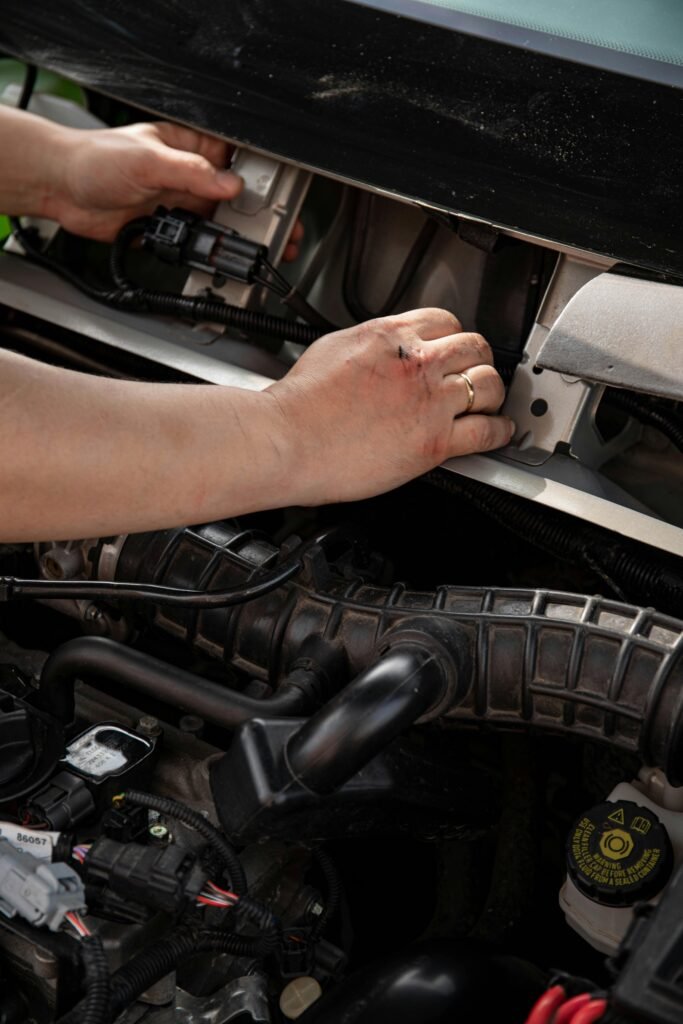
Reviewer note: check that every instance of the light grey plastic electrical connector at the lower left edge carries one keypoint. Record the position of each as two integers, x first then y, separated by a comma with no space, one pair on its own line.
42,893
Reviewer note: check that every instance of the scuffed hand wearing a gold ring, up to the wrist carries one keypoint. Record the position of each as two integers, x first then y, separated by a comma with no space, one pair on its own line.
375,406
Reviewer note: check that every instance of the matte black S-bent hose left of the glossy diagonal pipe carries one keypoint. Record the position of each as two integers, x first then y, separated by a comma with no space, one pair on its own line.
103,659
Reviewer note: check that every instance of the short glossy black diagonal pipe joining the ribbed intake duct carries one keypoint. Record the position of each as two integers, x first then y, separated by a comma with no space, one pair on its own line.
365,717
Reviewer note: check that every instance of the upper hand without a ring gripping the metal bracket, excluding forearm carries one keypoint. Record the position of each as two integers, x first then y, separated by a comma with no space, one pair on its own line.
107,178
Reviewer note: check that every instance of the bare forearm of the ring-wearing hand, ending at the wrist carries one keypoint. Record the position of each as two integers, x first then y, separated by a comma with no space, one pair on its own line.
86,456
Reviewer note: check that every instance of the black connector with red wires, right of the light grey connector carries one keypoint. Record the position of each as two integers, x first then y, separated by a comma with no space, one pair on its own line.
163,878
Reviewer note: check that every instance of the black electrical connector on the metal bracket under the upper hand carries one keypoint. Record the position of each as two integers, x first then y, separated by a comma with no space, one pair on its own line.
184,239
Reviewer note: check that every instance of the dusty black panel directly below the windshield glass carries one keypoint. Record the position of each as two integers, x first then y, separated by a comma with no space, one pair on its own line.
577,155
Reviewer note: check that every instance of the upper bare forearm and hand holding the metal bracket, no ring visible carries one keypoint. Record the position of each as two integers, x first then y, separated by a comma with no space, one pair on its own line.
94,182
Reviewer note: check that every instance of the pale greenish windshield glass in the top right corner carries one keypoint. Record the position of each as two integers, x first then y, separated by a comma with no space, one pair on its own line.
636,37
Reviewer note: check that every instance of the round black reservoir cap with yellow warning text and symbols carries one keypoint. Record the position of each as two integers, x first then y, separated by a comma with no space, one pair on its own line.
619,854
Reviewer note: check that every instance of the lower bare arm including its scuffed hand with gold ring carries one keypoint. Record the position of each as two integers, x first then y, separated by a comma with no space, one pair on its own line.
364,410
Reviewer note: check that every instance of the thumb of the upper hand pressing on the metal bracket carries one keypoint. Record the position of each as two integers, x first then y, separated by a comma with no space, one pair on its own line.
182,172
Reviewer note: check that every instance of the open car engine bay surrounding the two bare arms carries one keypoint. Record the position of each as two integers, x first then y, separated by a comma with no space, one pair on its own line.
309,764
